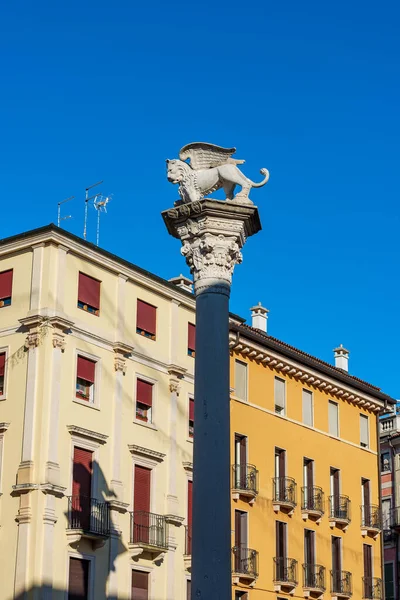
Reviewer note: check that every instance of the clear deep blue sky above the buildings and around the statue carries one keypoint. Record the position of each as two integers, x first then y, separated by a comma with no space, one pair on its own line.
109,90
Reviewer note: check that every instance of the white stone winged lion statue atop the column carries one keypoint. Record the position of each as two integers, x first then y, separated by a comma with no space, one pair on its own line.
211,167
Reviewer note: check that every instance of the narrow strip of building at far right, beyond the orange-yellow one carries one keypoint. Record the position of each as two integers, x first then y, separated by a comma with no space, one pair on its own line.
390,480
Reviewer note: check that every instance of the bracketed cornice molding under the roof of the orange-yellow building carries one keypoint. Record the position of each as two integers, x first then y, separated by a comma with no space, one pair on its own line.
302,374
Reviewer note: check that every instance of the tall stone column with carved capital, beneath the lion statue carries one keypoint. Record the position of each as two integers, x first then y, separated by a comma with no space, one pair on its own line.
212,233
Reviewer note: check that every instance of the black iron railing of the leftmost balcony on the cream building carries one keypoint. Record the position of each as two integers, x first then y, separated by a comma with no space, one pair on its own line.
88,515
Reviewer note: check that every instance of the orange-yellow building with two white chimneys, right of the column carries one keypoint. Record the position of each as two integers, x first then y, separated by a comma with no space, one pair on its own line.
306,488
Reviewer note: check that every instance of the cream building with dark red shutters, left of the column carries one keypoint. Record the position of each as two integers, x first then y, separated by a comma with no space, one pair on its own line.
83,335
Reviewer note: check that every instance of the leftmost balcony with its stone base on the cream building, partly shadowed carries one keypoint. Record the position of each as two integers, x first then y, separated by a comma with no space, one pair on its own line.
89,519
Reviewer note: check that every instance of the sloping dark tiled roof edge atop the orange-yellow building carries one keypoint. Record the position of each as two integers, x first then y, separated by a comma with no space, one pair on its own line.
309,360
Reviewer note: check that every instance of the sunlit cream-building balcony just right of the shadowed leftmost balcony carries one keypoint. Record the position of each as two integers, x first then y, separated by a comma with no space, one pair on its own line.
148,535
